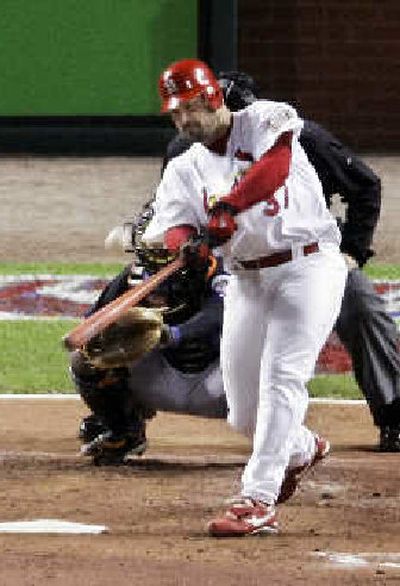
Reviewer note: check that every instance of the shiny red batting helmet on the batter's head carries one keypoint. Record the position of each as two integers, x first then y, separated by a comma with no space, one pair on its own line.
187,79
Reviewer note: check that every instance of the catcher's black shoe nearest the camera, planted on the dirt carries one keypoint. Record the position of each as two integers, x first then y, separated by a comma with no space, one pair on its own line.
111,448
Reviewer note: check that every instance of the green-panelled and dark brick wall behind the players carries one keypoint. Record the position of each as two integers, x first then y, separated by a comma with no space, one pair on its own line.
95,62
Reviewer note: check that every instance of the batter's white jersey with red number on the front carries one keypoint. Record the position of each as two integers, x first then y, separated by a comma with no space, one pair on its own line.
194,181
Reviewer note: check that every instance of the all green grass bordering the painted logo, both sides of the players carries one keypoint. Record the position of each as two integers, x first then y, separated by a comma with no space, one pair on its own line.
32,359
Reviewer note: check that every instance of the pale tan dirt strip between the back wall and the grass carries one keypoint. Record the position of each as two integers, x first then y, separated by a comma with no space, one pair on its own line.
62,208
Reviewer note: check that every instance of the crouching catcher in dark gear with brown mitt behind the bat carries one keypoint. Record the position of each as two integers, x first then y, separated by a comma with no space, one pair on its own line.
163,355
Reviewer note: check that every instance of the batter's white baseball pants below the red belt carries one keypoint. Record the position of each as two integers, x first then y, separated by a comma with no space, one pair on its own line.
275,323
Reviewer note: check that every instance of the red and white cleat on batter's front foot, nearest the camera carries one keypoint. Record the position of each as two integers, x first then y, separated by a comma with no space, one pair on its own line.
246,516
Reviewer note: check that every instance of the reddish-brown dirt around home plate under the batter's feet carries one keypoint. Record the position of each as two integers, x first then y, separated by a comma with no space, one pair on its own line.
156,507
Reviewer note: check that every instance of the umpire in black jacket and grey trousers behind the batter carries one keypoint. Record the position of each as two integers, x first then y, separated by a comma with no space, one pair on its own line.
366,330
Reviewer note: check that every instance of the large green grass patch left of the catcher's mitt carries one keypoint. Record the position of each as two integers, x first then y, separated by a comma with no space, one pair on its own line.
32,359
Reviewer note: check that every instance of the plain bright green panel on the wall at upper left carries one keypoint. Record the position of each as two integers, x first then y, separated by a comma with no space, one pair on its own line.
98,57
